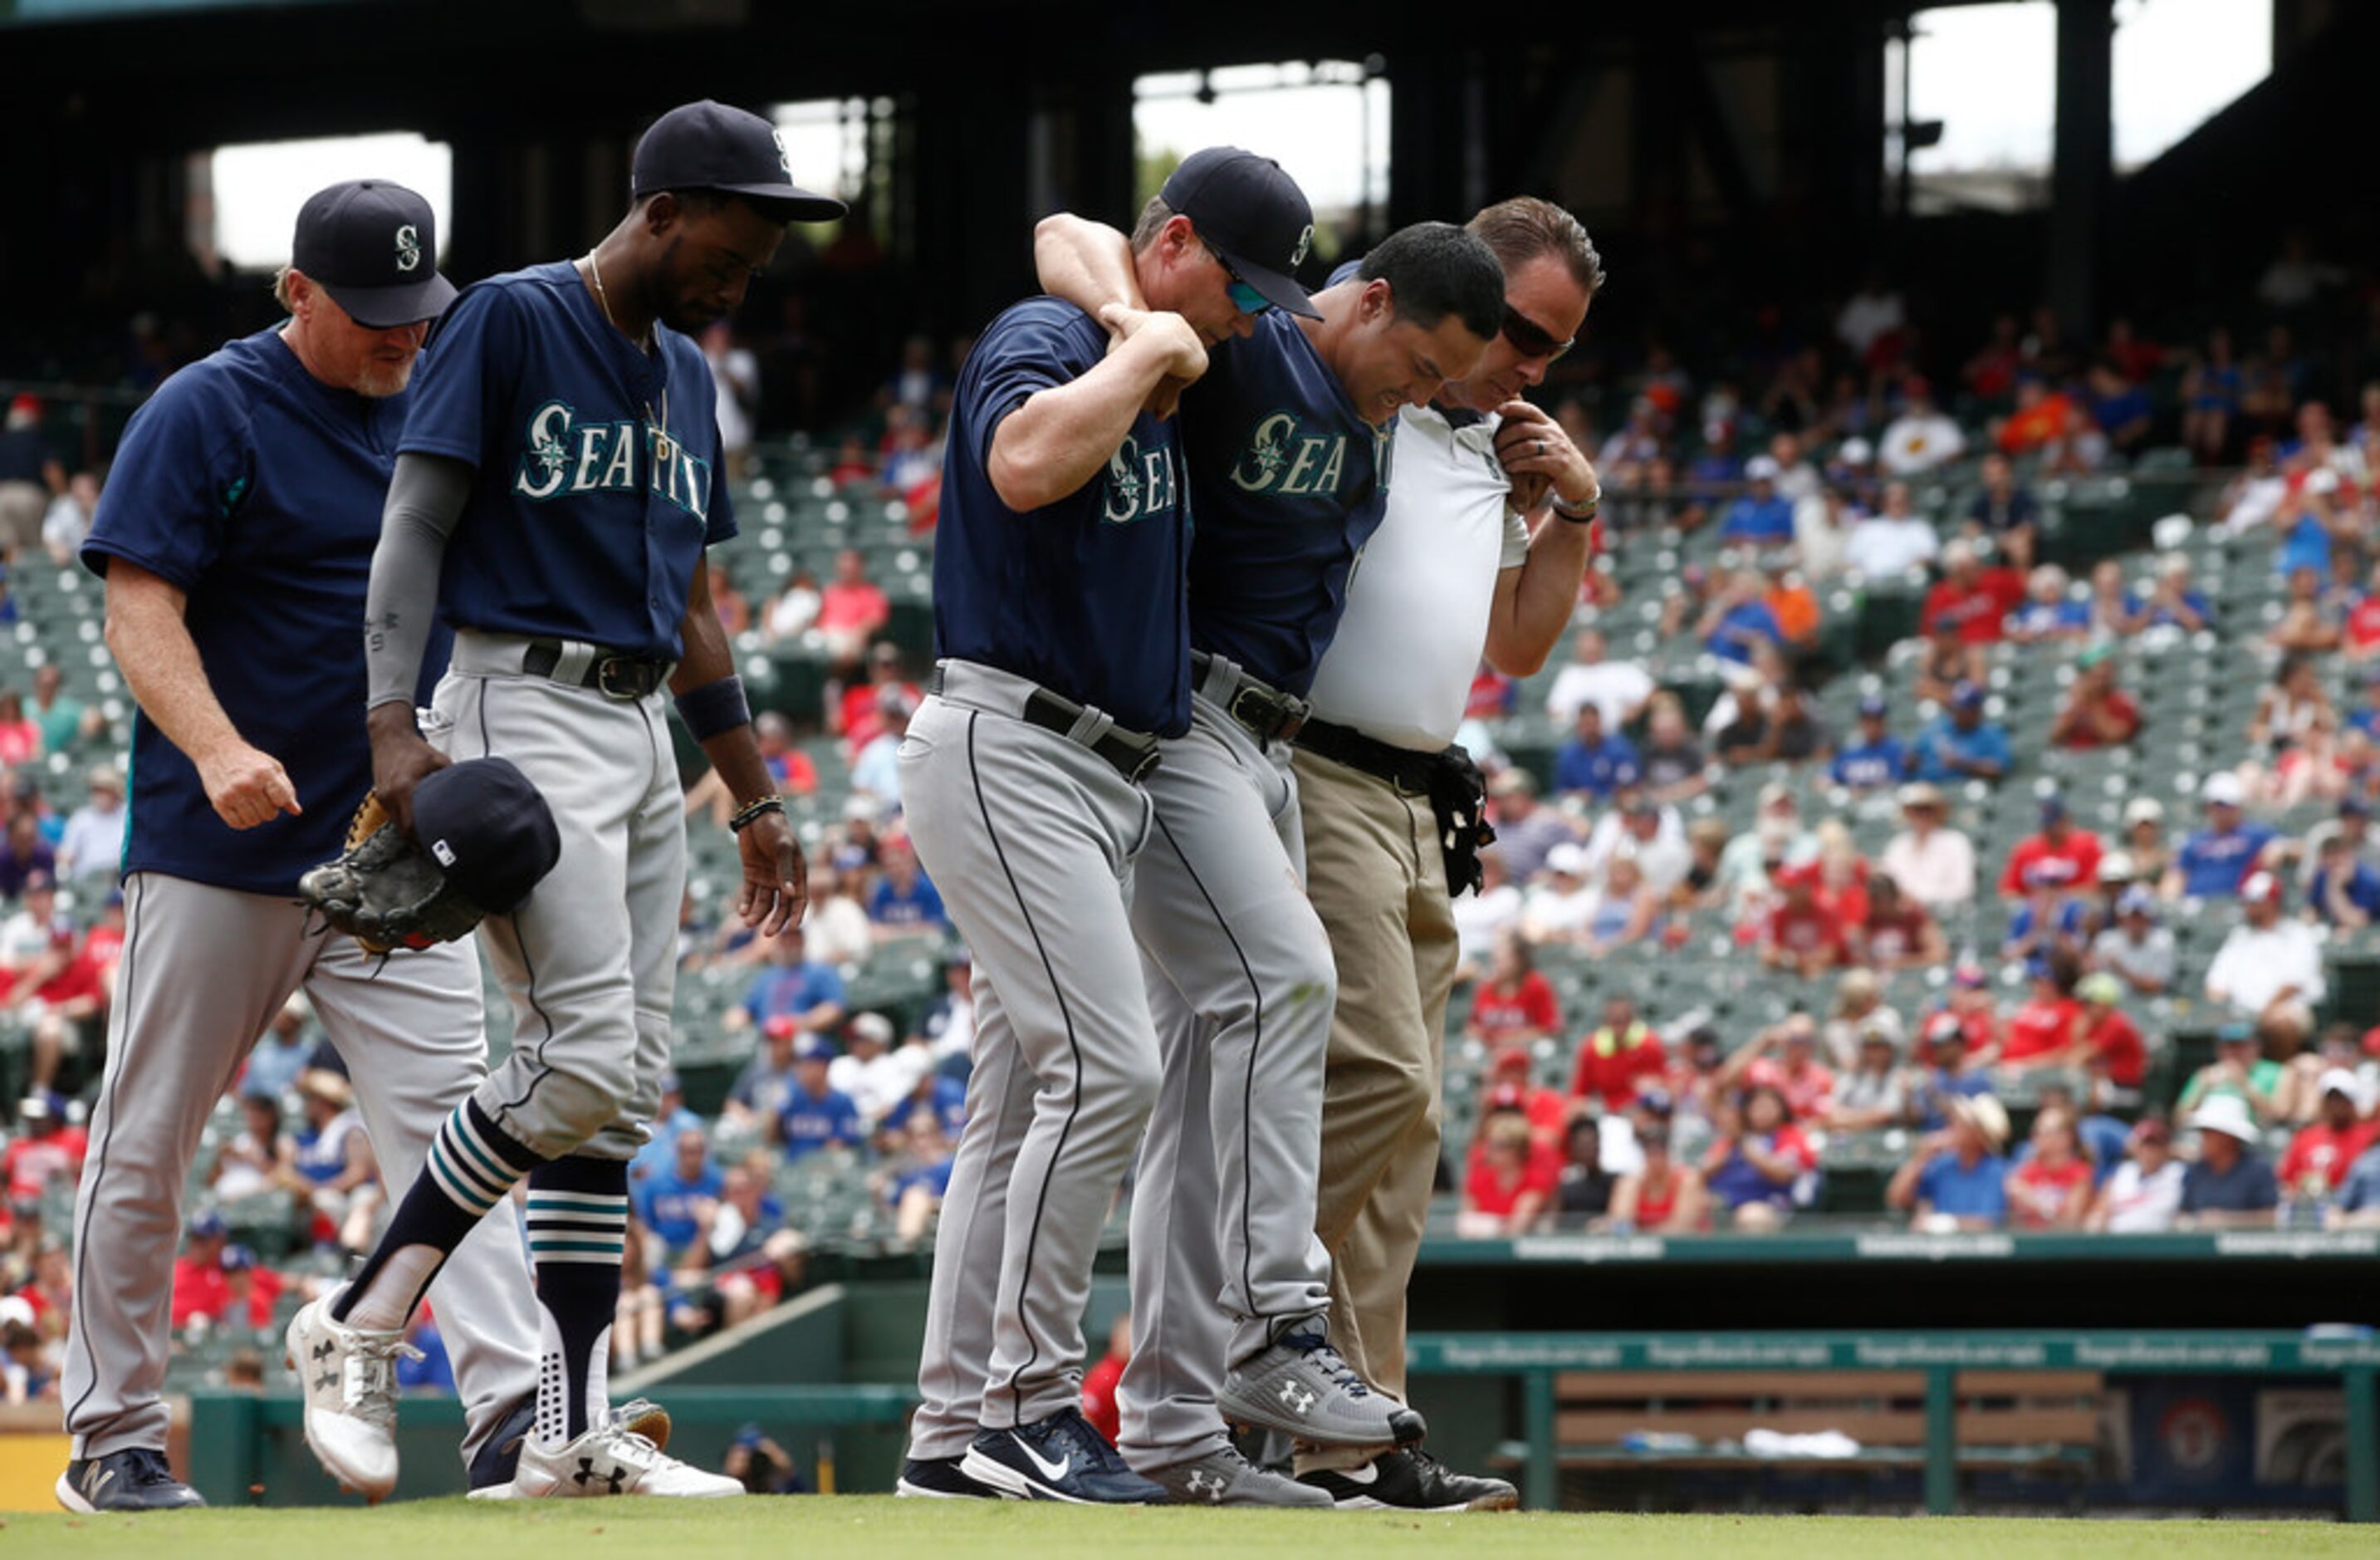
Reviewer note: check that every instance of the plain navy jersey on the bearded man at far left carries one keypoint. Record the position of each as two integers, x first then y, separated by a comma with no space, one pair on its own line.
256,489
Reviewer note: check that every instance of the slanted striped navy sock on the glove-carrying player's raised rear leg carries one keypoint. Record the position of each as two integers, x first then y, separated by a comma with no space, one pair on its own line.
472,1166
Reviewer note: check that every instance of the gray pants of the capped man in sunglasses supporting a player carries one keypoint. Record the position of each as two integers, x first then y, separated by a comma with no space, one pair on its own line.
1032,842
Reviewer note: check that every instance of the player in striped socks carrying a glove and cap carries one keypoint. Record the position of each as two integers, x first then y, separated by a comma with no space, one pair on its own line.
553,497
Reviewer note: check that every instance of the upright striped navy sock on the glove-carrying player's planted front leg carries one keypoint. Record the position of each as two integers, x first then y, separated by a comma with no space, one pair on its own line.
577,1235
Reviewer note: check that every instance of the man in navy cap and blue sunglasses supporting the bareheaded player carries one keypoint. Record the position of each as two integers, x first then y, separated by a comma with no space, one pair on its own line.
1065,656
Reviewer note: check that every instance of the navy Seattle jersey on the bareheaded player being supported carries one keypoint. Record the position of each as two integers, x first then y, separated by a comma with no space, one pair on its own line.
1286,485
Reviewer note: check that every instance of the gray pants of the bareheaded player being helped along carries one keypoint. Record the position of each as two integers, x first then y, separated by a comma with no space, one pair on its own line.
1241,985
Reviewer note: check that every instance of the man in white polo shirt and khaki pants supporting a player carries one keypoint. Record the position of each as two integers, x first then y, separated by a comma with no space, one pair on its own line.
1448,575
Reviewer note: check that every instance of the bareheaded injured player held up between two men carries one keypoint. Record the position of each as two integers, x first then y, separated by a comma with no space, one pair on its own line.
1289,478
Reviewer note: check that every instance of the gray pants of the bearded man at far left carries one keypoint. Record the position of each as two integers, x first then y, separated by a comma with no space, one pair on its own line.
203,975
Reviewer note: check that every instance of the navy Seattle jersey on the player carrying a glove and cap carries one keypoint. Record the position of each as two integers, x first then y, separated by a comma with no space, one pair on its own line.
599,466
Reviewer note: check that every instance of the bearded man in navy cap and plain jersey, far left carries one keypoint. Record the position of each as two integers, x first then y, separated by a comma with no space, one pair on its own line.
234,537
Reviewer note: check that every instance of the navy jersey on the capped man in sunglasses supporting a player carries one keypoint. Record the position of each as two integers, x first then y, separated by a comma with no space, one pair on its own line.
1086,594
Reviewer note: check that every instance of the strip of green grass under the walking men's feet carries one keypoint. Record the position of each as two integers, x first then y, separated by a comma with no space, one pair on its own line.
894,1530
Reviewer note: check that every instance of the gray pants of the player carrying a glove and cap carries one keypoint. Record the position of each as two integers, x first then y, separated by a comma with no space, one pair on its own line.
591,959
